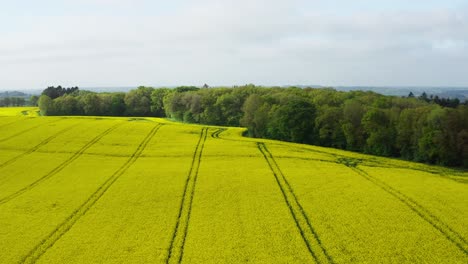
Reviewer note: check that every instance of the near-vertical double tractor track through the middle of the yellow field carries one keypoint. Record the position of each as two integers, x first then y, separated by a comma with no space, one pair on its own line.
177,244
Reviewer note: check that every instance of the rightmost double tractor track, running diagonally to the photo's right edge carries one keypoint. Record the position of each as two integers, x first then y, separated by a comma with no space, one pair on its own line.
421,211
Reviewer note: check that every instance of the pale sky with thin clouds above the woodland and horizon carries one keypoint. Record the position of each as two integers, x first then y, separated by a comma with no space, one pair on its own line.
144,42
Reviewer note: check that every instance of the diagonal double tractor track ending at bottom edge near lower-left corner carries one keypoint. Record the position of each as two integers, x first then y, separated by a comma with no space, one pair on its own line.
66,225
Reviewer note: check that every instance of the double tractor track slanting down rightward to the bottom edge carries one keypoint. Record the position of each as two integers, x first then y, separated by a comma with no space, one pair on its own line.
302,221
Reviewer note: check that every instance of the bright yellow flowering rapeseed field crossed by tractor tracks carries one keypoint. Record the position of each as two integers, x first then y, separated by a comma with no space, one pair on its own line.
148,190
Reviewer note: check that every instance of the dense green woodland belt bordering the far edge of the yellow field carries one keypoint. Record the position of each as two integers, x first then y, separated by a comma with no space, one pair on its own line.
417,129
